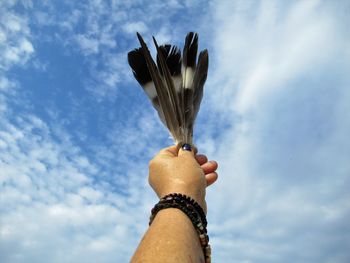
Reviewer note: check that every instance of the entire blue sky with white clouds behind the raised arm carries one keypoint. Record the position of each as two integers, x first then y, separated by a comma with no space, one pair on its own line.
77,131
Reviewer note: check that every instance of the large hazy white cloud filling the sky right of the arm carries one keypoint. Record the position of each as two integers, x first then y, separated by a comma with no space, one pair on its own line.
279,81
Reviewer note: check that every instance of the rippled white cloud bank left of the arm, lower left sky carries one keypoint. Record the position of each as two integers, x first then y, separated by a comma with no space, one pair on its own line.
50,201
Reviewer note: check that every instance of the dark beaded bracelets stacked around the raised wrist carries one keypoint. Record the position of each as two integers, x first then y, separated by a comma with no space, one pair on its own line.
194,212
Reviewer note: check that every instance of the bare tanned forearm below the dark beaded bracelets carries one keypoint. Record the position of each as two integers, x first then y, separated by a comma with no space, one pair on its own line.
170,238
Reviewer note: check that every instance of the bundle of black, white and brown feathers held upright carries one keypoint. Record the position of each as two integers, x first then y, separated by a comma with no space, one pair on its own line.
173,83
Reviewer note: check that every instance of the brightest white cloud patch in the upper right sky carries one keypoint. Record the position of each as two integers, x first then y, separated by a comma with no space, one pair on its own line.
280,48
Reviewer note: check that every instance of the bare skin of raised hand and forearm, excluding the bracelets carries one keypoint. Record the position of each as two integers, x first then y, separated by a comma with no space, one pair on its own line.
171,236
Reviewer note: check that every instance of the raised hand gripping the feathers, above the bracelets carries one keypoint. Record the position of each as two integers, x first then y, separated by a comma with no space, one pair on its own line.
174,170
